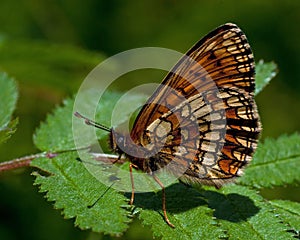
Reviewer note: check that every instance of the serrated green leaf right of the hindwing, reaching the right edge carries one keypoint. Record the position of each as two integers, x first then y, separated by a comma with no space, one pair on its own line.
275,163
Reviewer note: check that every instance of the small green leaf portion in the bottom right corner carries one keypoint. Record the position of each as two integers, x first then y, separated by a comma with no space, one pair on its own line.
289,213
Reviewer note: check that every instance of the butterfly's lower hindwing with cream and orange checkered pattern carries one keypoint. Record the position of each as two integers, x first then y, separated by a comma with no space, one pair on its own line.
210,144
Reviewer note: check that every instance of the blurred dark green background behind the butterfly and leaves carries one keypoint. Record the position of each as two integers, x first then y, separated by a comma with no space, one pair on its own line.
50,46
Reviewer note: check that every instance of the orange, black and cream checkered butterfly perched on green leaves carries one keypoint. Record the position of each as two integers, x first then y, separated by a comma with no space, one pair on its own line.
202,122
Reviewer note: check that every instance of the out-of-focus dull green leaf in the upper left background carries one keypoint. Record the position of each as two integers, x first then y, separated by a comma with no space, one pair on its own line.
41,63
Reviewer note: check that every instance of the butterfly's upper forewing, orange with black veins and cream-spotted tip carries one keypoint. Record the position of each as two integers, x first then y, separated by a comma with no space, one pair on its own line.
223,58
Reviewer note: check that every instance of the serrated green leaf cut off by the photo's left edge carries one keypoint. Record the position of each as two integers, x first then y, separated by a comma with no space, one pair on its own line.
8,100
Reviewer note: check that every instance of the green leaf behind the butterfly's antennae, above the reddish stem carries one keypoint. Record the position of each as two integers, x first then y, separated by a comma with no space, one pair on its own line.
55,134
